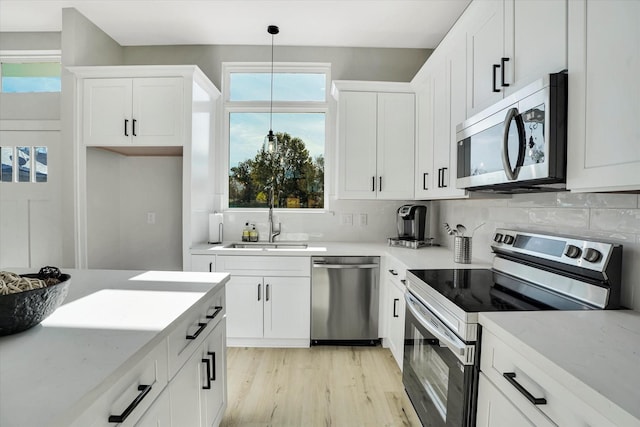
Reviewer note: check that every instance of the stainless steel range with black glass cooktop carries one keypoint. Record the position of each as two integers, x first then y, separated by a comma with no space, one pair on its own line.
530,271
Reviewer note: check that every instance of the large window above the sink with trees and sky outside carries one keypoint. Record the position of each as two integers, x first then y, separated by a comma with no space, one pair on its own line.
299,121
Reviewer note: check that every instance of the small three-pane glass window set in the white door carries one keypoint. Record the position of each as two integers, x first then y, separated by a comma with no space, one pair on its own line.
23,164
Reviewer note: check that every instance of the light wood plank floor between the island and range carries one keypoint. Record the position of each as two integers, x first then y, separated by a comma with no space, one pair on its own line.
317,386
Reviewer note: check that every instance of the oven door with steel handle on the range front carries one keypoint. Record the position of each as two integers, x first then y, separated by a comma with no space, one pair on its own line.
438,369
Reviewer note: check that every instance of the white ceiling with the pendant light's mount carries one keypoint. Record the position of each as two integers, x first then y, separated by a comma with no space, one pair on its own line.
355,23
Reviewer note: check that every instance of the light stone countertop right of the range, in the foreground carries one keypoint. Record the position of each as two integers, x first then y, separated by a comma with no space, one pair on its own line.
594,353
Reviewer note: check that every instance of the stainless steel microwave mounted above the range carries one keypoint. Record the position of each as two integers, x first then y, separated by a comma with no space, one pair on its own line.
518,144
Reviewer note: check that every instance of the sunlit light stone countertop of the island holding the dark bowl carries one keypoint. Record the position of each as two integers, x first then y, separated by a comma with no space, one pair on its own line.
109,321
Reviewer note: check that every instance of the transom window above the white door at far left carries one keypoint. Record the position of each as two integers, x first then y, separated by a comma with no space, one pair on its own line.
29,72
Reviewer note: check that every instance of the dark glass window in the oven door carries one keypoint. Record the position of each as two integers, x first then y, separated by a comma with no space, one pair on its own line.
432,371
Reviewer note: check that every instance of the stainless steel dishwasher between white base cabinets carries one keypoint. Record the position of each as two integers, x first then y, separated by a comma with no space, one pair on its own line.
344,300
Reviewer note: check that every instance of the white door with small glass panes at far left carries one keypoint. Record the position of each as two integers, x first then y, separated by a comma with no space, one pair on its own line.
30,198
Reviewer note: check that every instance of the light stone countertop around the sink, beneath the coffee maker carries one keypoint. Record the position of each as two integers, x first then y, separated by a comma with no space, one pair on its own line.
424,258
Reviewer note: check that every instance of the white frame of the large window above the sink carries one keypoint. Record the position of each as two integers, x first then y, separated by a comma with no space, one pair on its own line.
278,107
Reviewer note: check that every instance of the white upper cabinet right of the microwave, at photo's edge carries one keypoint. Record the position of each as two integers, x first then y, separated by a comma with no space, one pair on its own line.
604,96
